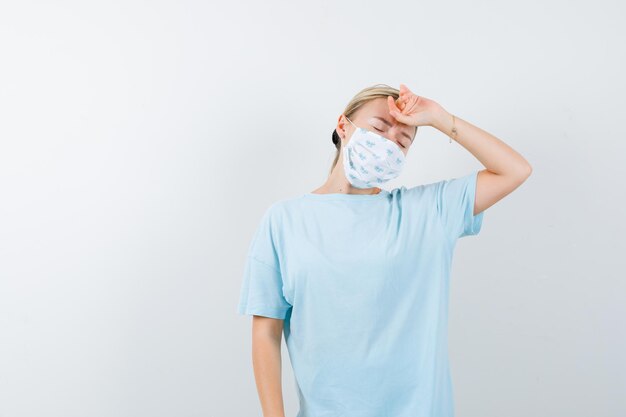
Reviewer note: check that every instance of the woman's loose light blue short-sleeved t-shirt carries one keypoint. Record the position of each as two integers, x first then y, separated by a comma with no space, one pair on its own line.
362,283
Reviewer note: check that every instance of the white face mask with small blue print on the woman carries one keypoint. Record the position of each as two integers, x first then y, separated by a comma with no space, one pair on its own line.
370,159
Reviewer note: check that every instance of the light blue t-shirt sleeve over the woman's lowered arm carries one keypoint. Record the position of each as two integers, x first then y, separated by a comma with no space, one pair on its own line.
262,287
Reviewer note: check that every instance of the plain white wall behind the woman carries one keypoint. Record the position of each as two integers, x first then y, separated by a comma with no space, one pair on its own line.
141,142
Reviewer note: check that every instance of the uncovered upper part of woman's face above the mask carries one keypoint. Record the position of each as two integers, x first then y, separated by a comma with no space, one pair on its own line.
374,116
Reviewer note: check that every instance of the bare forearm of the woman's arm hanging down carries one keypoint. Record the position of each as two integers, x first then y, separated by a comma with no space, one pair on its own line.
266,358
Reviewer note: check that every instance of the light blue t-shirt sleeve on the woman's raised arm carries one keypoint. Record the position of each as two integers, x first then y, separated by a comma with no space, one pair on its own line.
455,206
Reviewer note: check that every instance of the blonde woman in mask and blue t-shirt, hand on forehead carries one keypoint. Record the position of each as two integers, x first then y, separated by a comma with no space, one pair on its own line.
357,277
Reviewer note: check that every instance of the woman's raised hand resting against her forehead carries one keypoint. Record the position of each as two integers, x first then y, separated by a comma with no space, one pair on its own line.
414,110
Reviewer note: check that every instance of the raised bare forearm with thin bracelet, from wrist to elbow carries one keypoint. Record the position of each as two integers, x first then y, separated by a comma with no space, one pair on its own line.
494,154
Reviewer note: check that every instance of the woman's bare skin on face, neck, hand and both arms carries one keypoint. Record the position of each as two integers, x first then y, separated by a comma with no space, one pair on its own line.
505,170
